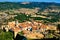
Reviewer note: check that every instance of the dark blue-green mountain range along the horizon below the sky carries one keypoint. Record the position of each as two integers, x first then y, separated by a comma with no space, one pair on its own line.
13,5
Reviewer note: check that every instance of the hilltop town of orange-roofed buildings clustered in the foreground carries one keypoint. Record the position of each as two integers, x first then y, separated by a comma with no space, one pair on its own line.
29,28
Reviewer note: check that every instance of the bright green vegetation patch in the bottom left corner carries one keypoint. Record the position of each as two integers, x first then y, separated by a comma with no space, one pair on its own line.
6,35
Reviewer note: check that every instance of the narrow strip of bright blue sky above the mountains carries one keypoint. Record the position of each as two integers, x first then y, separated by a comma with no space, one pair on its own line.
57,1
